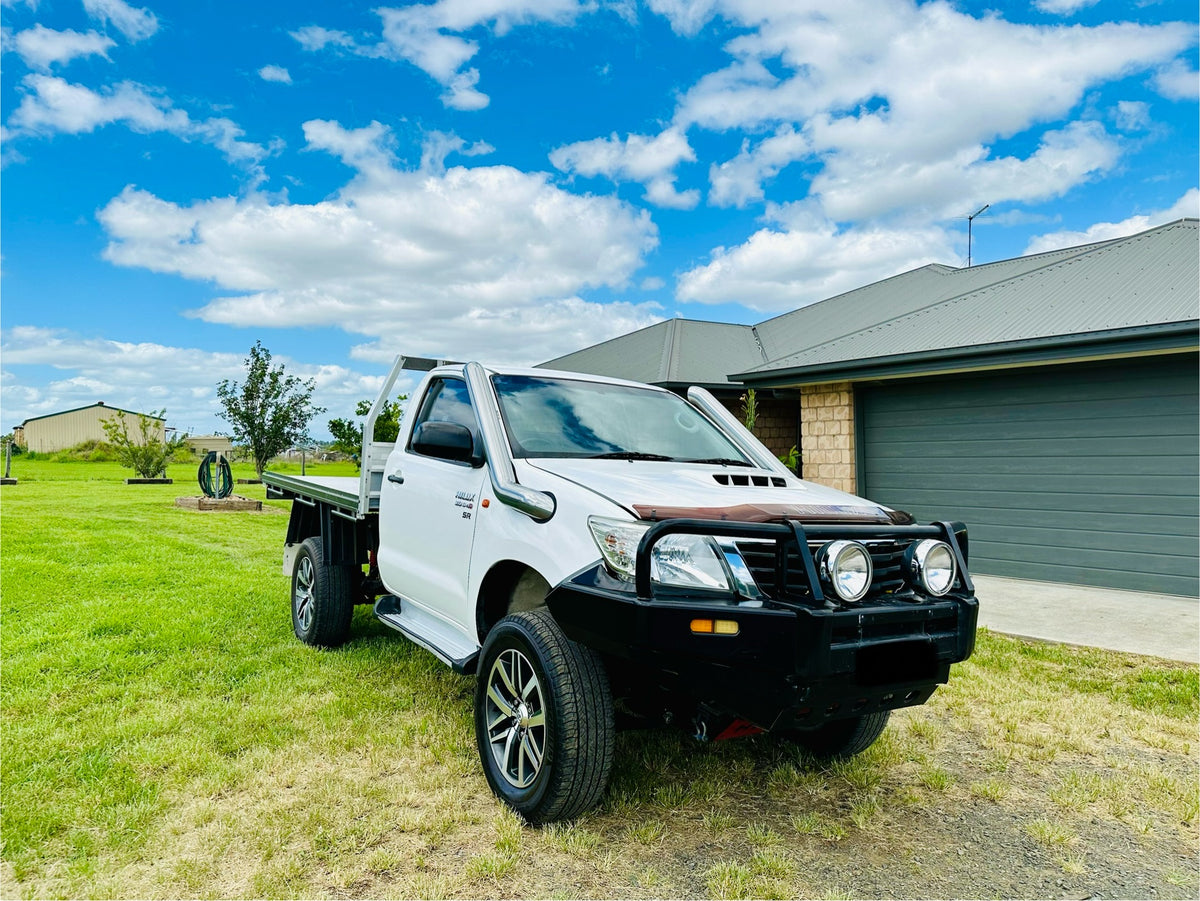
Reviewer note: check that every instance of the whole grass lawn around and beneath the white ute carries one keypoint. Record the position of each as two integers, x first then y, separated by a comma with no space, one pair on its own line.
166,736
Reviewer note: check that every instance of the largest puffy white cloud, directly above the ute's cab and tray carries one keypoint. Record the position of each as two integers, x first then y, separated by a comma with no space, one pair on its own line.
487,261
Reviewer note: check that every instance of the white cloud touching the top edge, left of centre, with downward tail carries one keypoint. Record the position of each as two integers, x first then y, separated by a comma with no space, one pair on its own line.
430,37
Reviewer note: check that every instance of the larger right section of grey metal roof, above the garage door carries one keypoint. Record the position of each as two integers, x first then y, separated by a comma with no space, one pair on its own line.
1143,289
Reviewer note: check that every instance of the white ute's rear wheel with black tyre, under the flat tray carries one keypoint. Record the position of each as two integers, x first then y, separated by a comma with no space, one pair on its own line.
322,598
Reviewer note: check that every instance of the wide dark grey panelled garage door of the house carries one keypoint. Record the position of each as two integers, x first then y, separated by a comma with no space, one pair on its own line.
1075,473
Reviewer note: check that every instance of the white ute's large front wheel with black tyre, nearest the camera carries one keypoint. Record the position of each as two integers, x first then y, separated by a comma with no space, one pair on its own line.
544,719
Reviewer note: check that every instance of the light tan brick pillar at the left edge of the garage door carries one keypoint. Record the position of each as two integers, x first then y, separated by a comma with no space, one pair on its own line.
827,430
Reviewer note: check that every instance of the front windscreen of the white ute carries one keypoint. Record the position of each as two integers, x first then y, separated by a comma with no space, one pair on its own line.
566,418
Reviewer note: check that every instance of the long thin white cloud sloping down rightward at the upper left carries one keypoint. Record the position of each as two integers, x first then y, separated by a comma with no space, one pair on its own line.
52,105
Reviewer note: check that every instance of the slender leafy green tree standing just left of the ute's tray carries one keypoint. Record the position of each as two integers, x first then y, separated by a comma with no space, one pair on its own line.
271,411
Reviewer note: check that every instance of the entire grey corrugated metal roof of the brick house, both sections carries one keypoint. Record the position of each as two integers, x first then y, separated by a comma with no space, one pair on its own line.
1139,293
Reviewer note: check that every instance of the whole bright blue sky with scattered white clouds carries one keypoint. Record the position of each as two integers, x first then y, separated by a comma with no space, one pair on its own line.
511,181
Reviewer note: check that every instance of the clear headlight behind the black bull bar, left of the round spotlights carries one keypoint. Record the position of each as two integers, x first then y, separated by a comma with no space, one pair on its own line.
680,561
